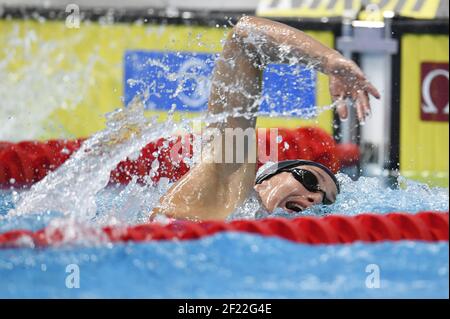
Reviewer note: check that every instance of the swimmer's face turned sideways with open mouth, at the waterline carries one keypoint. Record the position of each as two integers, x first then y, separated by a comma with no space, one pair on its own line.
284,191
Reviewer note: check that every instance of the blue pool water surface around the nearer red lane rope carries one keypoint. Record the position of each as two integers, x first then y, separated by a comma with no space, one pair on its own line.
231,265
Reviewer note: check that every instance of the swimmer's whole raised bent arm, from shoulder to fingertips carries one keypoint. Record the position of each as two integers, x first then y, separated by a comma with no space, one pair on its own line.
214,190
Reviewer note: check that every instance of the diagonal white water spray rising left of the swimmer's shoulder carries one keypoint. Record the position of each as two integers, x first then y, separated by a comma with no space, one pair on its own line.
72,188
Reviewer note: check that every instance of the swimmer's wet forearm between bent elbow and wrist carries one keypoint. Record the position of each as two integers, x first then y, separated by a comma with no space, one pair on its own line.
268,41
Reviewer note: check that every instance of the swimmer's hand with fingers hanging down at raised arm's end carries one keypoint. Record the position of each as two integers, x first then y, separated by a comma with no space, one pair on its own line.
347,81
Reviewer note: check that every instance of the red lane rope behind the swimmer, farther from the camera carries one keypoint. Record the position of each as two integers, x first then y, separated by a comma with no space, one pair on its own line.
27,162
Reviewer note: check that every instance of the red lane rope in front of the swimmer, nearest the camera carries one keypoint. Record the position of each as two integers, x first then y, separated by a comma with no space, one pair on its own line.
332,229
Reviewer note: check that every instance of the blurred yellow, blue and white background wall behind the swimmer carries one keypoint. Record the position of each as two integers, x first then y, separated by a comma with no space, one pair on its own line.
57,80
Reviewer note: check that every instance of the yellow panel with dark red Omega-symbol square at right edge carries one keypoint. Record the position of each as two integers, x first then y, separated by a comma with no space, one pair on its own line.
424,131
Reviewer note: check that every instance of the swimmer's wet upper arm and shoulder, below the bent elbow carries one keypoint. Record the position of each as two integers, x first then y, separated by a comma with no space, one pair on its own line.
214,190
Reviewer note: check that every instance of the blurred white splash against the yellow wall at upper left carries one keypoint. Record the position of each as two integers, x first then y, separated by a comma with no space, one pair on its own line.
45,83
